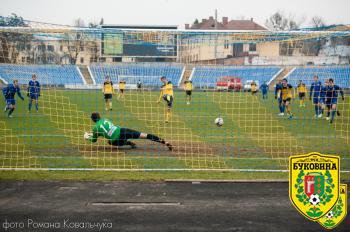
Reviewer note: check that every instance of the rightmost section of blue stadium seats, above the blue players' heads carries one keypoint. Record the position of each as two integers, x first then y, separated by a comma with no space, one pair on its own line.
340,74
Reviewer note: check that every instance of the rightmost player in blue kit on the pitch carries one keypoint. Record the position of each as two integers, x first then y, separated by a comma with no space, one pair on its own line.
332,95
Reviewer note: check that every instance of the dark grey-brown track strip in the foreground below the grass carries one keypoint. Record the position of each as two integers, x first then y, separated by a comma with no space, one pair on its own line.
154,206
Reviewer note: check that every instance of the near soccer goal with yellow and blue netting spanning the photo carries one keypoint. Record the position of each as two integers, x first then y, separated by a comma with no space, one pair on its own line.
171,100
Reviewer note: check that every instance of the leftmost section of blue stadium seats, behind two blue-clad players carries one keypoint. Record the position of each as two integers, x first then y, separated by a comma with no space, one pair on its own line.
47,74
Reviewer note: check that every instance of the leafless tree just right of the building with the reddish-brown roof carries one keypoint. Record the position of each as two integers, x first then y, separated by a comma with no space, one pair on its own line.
279,21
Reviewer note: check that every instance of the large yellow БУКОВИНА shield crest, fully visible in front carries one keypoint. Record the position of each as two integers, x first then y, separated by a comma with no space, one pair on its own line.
314,183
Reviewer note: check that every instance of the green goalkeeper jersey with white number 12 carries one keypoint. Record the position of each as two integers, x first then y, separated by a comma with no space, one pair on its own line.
105,128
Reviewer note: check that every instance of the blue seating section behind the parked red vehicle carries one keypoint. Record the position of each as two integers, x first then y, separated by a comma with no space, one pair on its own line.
206,76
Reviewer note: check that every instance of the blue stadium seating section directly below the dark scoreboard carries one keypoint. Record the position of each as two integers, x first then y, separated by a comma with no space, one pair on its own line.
148,73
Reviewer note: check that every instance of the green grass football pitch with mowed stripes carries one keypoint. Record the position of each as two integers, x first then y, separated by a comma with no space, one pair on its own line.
253,136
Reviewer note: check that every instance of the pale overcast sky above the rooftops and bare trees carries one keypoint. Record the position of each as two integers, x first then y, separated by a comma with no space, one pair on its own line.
172,12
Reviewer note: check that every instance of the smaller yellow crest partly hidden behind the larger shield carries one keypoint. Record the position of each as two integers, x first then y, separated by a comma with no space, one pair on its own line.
338,212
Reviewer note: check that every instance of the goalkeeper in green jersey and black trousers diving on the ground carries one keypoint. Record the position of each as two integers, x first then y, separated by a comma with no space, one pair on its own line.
116,135
